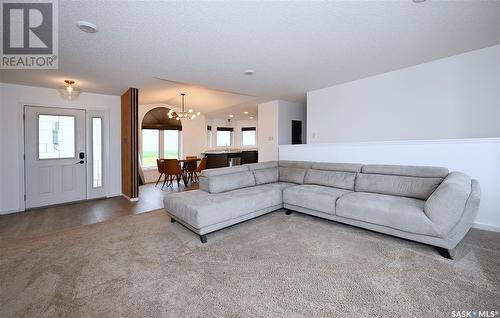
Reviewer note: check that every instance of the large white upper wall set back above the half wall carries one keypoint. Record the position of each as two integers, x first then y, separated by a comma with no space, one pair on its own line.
454,97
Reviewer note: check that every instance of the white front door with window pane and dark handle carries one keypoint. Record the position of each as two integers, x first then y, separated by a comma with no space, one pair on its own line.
55,162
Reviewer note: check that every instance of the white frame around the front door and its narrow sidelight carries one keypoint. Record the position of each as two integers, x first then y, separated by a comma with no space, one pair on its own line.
22,173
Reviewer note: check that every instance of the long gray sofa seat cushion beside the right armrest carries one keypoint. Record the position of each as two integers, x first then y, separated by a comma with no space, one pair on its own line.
401,213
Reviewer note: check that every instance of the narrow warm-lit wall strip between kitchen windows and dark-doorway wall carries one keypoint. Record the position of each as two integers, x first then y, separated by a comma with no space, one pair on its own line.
268,131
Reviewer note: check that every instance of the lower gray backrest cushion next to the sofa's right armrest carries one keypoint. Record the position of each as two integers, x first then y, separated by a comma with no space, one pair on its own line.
413,187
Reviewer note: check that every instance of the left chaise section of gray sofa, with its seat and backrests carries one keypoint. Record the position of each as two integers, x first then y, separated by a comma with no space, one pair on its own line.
227,196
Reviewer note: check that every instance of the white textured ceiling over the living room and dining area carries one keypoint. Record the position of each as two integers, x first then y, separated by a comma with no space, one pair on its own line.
292,46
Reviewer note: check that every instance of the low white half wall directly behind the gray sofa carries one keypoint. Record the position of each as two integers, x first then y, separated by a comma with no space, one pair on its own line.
479,158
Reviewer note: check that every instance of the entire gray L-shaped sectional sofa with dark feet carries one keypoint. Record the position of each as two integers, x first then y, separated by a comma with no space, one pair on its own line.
424,204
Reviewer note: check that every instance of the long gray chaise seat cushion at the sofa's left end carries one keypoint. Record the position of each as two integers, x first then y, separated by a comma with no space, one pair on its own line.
200,209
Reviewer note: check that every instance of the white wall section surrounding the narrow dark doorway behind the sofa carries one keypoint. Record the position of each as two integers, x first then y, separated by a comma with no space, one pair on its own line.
287,112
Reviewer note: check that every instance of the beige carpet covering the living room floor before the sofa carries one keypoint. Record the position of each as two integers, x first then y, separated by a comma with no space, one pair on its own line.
273,266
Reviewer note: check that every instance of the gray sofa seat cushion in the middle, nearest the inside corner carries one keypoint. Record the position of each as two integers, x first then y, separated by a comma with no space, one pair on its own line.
313,197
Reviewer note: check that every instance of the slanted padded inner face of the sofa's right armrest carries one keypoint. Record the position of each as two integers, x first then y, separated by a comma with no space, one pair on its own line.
446,204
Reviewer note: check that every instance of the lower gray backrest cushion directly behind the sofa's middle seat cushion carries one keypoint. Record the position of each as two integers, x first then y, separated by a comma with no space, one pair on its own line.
336,179
